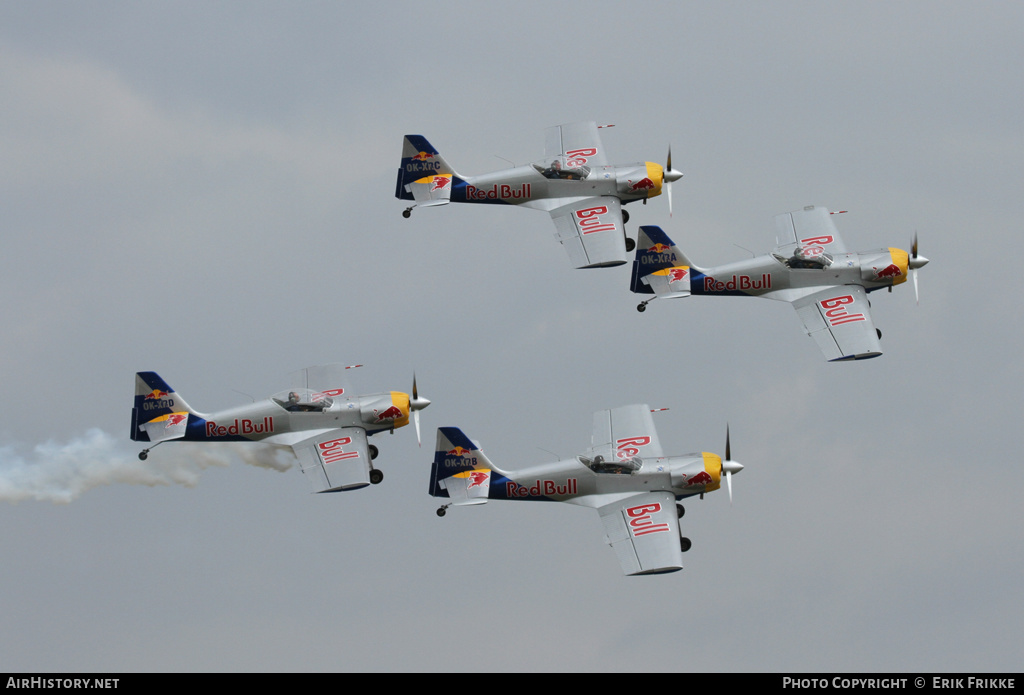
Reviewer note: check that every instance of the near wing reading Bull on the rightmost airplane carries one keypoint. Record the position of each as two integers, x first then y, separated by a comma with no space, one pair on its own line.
839,320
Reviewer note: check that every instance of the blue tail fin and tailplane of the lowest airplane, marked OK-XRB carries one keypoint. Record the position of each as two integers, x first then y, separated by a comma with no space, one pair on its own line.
460,470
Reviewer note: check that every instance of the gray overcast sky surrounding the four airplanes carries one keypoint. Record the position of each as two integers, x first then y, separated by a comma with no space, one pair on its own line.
207,191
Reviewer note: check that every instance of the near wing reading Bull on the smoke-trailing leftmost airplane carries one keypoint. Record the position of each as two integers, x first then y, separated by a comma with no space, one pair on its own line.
335,460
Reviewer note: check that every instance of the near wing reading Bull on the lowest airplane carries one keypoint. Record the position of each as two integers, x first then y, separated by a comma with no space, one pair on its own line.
645,533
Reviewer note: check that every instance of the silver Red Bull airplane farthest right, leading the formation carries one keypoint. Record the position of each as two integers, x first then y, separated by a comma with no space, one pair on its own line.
812,270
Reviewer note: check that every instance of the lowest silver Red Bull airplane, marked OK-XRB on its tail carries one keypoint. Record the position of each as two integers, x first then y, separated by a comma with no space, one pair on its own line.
624,475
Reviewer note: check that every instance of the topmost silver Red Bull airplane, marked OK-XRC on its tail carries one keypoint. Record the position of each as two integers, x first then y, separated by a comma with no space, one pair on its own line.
574,183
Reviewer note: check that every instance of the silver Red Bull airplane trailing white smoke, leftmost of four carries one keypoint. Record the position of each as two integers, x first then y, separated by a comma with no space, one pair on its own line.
325,426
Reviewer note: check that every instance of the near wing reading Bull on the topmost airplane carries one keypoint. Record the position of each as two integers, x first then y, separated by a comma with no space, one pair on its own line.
592,232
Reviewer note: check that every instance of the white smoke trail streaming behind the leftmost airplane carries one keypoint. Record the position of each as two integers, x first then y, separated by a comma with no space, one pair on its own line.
59,472
